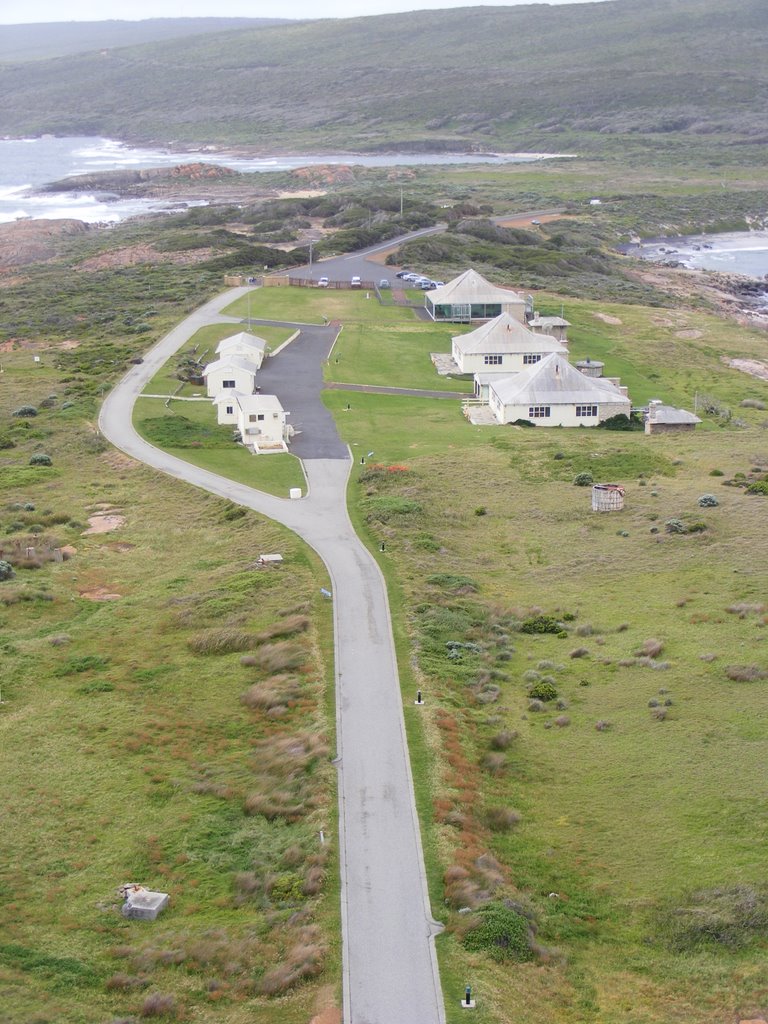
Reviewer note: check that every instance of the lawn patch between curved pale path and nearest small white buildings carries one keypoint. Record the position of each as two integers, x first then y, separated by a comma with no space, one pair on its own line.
211,447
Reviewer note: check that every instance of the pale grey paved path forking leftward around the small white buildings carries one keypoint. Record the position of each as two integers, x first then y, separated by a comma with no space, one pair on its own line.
391,968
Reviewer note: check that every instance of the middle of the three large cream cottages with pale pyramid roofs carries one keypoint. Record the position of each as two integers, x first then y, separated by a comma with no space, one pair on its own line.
503,346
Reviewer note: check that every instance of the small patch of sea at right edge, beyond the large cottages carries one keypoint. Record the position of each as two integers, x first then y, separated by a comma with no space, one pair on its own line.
739,252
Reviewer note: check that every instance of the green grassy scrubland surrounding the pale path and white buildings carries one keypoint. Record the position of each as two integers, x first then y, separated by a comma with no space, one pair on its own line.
589,759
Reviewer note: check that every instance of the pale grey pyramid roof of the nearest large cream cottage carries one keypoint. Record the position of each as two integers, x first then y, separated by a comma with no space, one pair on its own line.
556,382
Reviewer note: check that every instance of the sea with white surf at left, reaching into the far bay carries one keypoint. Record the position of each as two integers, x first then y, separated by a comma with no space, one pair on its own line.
28,164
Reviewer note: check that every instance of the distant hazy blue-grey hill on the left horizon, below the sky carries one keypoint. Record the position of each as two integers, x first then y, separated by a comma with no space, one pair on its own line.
36,42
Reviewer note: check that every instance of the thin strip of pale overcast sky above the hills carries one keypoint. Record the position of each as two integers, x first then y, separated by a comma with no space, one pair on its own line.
24,13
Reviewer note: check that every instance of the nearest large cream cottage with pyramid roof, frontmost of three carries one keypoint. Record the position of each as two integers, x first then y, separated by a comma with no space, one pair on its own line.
553,394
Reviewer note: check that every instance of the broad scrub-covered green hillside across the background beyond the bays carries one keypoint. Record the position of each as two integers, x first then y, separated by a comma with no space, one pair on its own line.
489,77
